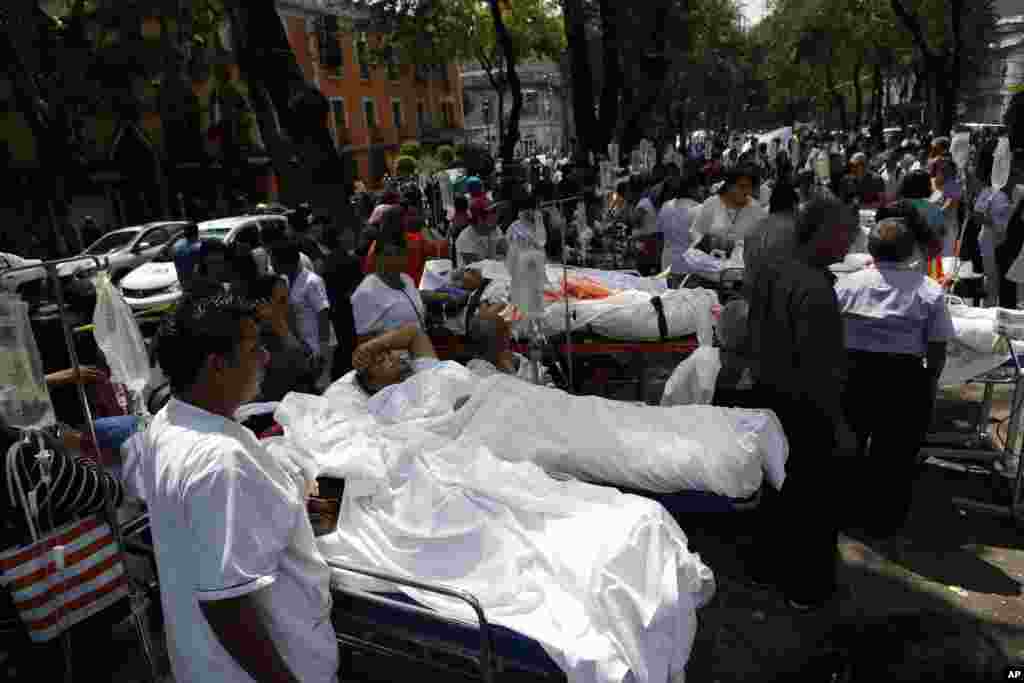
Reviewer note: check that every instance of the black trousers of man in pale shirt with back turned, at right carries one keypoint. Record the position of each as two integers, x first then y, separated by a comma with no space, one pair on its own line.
888,404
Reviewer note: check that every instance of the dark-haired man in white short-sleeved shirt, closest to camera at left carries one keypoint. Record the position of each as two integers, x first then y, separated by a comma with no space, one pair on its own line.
245,592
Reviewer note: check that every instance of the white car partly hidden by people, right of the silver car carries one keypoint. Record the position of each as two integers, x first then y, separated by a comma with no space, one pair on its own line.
156,283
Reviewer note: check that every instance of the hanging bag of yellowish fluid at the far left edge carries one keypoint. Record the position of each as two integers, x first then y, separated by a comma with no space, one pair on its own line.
25,399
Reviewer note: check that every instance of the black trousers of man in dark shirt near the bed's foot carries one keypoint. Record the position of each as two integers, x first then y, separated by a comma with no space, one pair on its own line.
797,529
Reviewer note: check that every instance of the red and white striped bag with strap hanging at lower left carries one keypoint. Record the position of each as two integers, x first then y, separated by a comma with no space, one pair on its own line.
65,576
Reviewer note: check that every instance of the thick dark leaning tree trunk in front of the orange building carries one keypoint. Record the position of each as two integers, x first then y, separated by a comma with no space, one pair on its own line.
306,158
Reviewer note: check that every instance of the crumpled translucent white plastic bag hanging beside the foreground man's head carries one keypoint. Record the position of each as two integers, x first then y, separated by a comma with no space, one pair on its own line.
119,338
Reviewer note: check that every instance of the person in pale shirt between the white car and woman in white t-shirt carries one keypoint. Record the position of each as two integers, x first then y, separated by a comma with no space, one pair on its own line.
308,296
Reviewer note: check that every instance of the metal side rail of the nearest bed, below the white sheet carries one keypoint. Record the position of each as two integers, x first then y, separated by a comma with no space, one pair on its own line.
486,661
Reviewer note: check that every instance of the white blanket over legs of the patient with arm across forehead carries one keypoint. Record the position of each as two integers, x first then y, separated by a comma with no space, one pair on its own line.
661,450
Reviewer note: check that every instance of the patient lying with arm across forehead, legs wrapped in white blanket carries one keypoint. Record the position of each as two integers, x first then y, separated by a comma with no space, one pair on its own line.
661,450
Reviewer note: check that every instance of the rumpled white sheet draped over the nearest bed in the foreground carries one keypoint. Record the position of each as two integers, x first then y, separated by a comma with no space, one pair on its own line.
422,505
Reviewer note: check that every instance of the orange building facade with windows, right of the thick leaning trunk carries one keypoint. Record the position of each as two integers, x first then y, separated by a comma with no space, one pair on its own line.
375,108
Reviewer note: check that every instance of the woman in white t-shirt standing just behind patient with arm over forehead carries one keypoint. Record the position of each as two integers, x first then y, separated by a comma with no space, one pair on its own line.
388,300
